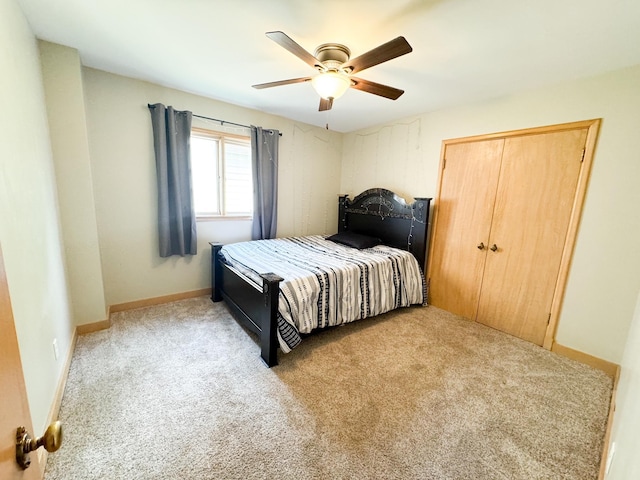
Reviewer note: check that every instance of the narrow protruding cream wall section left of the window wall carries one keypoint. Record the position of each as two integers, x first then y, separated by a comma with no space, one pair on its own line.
64,94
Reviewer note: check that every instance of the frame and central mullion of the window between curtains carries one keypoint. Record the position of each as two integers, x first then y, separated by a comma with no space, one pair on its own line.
222,138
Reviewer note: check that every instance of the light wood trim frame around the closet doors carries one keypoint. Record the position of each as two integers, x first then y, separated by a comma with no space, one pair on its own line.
592,127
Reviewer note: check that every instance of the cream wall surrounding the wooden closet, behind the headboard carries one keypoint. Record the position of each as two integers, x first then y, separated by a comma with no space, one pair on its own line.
604,277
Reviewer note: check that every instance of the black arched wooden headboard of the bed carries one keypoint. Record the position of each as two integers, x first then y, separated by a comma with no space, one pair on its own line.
381,213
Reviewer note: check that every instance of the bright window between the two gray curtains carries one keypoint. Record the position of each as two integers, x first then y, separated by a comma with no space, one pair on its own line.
221,173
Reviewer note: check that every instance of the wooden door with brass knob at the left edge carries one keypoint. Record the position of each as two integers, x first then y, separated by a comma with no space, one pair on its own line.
14,409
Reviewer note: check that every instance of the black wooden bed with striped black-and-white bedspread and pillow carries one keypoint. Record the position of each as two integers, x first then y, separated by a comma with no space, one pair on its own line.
319,281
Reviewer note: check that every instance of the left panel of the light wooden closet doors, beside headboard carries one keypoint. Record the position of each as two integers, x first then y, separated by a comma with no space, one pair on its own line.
465,204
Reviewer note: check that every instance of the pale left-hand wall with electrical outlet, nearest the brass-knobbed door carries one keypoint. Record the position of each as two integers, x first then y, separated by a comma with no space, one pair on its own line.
29,222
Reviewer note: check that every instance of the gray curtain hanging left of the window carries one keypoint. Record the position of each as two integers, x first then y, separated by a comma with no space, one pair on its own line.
176,216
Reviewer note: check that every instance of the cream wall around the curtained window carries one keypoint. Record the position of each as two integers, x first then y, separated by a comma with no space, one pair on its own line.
123,170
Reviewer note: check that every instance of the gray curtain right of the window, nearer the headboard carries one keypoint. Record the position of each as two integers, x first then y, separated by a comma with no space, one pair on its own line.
264,158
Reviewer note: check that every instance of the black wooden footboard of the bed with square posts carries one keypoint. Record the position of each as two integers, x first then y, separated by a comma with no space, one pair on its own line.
255,309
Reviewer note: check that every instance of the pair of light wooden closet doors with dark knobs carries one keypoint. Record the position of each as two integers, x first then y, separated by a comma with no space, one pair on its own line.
505,221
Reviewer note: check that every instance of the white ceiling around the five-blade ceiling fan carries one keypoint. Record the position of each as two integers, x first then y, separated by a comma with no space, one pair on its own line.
463,50
